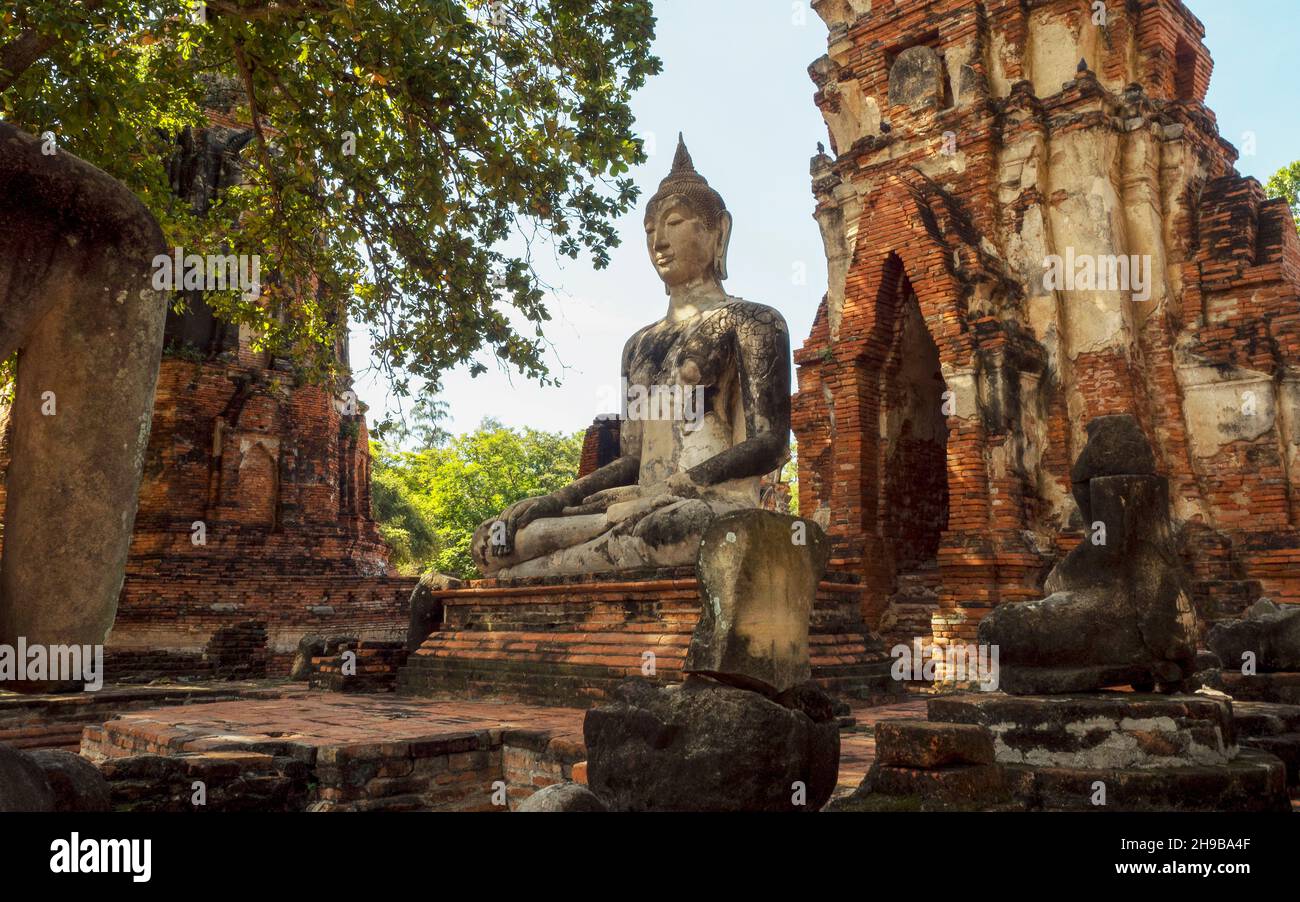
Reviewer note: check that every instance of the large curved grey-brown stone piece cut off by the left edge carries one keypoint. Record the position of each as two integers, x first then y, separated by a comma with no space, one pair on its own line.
76,302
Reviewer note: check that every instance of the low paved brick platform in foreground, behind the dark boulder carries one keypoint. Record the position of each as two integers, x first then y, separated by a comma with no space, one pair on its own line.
343,753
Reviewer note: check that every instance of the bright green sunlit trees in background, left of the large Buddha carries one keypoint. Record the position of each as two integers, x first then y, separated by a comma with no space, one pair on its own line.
430,502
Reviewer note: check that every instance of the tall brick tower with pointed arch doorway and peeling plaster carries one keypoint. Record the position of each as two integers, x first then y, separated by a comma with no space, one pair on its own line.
944,389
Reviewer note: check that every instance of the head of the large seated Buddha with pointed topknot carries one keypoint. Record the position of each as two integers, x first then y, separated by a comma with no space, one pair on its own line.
688,227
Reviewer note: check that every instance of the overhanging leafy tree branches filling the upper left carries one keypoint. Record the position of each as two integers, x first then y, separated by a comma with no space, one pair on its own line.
408,153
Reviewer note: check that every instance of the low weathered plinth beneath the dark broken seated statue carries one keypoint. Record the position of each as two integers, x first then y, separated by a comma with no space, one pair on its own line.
1146,753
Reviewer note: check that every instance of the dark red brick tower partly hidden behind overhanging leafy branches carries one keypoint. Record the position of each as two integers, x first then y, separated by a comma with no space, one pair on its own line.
255,506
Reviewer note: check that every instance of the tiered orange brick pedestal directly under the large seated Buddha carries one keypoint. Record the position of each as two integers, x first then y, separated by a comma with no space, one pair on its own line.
573,641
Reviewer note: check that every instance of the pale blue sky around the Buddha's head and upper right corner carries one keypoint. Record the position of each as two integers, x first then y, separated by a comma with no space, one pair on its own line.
735,81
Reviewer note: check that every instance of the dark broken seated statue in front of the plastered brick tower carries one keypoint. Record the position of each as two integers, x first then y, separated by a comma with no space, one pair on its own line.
1119,609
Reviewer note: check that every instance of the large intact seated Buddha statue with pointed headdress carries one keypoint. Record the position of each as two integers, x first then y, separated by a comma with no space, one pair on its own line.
709,414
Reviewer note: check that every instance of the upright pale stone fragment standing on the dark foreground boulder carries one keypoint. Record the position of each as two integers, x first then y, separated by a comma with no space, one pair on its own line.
759,575
